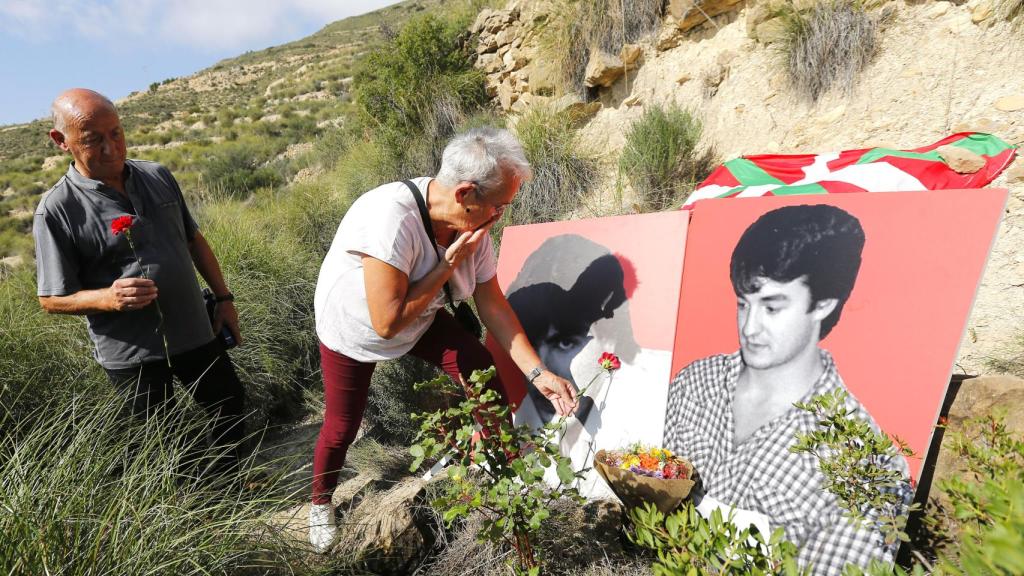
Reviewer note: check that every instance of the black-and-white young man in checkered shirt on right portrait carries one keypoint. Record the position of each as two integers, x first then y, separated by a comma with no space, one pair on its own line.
733,415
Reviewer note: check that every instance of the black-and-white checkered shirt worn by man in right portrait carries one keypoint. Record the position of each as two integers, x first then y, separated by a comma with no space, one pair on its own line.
761,474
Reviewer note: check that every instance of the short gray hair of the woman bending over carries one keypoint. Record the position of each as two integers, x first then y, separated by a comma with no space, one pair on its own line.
483,156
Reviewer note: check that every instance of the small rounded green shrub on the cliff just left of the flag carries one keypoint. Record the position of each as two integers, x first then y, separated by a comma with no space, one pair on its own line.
660,157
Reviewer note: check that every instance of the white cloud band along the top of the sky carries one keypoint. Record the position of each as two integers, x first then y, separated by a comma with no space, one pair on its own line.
205,25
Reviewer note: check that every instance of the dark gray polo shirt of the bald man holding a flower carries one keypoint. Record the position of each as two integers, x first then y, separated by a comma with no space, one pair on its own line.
76,251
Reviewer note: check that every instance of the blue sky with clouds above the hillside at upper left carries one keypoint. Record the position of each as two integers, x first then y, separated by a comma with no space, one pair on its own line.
118,47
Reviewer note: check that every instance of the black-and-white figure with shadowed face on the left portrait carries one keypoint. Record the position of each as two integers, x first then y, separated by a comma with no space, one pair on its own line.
572,298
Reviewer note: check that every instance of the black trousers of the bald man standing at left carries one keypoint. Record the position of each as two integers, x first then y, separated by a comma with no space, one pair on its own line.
208,373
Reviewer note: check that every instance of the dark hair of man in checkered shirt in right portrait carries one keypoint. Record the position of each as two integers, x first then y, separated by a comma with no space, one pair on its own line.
821,244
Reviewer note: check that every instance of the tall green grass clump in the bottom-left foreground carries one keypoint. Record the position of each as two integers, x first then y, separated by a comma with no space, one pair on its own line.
84,491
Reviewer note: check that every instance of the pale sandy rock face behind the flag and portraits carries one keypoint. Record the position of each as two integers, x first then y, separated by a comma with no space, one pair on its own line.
941,68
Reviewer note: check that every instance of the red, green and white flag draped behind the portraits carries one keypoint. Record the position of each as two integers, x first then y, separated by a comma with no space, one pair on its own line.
875,170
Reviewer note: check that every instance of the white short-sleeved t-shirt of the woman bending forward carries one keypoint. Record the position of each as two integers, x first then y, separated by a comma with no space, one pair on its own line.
386,224
